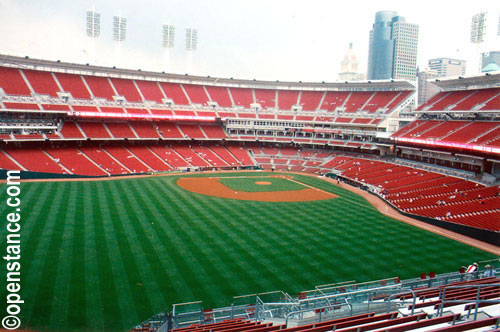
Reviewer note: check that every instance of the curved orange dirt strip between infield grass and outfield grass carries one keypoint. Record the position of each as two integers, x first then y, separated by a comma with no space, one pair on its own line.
212,187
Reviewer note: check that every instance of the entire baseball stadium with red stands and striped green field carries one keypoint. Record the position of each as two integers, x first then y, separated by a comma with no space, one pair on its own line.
151,201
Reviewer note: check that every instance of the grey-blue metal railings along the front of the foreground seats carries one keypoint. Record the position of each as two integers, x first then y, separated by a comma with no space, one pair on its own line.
327,301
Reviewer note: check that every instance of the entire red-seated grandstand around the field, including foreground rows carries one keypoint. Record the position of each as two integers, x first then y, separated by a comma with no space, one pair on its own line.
439,164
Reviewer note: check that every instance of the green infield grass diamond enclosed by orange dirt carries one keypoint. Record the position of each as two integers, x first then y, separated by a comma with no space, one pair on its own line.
249,185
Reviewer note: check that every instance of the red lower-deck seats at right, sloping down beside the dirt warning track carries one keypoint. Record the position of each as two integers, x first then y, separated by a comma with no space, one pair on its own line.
427,193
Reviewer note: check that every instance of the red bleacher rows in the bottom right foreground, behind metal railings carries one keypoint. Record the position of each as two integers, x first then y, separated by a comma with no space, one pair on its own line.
449,306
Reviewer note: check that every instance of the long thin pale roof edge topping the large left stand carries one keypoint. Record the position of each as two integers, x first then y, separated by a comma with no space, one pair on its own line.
87,69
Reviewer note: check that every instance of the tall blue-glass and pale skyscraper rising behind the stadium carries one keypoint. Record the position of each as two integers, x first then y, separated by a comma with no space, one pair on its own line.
393,48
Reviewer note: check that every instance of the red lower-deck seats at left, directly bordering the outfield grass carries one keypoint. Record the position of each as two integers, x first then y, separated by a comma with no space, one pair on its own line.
91,160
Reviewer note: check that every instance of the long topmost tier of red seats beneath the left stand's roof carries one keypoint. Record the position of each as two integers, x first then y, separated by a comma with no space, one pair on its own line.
26,82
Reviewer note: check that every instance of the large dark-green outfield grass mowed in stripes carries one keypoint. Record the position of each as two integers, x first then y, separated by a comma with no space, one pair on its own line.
106,255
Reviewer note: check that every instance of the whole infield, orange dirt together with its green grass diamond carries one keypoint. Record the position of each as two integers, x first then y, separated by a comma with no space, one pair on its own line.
261,188
